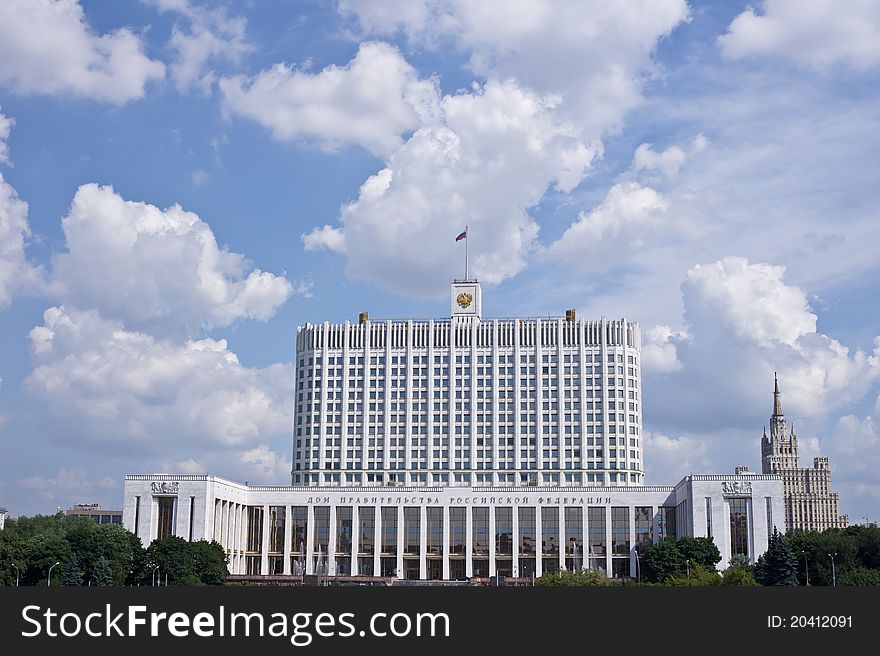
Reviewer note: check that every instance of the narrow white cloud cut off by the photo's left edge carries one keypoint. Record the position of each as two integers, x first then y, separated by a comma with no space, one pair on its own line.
17,274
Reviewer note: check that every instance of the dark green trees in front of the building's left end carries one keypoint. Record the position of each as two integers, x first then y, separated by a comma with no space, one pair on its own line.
79,551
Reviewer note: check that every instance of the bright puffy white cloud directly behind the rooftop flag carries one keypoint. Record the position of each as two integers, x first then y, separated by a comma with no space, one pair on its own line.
495,153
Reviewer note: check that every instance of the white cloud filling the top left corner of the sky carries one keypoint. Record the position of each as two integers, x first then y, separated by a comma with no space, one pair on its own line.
47,47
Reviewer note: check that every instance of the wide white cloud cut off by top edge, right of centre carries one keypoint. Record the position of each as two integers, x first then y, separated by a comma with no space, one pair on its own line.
592,54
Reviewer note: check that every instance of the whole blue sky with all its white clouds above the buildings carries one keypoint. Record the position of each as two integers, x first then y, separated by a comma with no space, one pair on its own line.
184,183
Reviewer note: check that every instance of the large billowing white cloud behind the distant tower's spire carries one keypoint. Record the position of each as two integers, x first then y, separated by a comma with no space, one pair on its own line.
744,322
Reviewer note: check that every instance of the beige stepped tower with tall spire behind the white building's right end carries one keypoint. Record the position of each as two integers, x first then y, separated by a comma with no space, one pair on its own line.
810,505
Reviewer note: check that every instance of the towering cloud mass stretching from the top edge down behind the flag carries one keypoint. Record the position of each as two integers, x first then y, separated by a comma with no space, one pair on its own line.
557,78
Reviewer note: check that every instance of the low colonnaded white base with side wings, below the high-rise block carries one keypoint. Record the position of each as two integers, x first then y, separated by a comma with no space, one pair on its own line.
451,532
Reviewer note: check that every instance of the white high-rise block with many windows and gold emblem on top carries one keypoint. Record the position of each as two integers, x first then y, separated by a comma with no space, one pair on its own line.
466,401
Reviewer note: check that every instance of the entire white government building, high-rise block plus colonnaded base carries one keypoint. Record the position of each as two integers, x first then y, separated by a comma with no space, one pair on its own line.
460,447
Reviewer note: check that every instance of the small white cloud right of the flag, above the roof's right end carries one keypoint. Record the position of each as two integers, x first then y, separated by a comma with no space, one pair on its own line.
623,224
